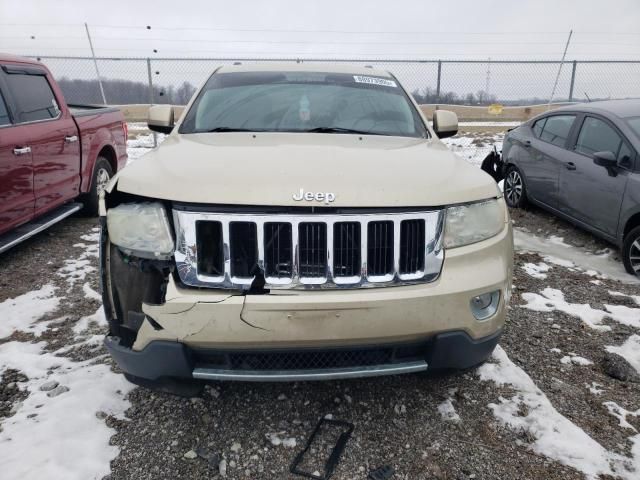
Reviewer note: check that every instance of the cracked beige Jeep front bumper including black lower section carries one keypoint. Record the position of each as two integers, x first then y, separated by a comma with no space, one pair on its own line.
163,330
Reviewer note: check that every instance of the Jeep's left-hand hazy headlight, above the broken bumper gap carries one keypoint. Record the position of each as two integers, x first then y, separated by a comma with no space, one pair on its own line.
141,229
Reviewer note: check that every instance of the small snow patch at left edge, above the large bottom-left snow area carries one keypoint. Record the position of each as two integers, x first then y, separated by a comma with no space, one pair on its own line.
20,313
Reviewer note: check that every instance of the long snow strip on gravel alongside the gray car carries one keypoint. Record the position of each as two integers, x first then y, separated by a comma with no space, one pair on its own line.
562,254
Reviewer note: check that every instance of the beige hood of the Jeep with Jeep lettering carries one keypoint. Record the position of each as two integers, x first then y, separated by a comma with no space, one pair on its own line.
270,169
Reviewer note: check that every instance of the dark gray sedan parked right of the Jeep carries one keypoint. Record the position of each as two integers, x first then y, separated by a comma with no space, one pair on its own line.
581,163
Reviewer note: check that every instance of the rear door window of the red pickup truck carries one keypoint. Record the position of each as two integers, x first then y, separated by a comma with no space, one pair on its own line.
33,96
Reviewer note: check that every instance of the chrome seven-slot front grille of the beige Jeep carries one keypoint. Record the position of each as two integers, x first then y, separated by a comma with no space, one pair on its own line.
231,250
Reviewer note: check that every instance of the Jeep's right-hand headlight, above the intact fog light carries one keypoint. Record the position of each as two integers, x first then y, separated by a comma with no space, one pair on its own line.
473,223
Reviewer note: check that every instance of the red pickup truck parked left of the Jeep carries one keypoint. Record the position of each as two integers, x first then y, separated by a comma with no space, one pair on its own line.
54,158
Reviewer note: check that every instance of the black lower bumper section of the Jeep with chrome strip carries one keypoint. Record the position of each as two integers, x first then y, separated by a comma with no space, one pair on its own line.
163,359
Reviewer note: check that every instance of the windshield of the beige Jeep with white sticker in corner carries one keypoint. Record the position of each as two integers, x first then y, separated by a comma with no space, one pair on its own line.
303,102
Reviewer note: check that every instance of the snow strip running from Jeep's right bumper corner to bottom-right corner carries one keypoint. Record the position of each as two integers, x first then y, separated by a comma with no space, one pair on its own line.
556,437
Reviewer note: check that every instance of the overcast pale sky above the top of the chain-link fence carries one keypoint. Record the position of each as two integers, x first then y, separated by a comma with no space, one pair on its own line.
414,29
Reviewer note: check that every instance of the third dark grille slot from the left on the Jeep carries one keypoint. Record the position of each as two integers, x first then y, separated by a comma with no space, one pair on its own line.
278,254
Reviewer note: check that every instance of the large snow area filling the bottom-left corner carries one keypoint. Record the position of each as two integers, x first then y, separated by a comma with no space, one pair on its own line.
59,435
